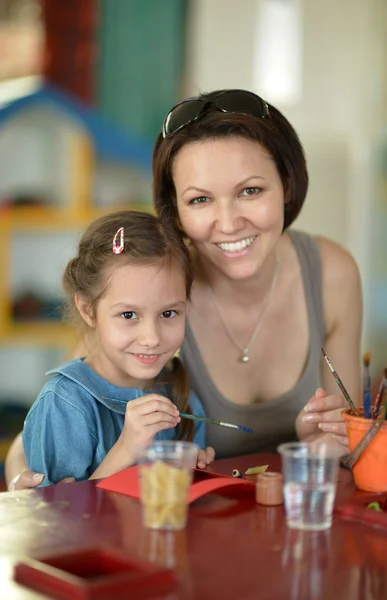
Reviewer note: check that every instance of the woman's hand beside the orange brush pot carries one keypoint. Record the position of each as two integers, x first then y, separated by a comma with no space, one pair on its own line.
321,419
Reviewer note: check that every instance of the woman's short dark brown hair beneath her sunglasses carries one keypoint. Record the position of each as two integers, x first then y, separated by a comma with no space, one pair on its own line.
274,133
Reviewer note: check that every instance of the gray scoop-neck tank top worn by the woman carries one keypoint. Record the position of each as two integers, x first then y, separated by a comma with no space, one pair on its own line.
272,422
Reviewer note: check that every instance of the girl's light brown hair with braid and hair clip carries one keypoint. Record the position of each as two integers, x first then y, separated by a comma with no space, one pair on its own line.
148,240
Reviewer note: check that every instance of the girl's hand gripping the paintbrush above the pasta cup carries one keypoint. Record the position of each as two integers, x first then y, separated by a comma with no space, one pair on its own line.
144,418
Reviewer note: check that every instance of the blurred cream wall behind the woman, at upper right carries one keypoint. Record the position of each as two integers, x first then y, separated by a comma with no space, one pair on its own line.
339,117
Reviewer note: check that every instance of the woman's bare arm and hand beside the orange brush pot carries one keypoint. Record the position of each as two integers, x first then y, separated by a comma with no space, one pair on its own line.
342,302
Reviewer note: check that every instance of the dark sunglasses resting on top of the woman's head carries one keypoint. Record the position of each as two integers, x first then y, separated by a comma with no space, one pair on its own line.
229,101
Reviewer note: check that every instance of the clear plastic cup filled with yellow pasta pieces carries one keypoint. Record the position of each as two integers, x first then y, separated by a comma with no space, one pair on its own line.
165,478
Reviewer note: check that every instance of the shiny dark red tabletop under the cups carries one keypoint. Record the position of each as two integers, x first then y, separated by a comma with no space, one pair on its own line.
232,547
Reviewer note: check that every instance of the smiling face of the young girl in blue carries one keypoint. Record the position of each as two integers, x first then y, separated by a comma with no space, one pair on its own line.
139,323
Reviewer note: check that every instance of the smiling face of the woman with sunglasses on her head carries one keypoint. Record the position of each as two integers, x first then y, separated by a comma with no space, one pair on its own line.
230,201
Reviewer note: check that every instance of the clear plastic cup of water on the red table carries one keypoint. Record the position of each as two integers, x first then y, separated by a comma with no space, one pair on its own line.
310,475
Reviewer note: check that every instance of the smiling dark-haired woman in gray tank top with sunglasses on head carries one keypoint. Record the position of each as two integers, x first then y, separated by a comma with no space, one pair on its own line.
230,170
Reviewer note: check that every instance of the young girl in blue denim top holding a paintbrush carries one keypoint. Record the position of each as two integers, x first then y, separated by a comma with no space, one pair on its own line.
128,289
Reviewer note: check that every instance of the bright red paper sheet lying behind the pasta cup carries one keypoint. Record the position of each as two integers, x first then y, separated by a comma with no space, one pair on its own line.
127,482
